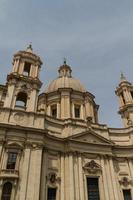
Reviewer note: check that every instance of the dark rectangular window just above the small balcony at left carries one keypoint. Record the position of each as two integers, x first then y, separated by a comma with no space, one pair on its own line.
11,161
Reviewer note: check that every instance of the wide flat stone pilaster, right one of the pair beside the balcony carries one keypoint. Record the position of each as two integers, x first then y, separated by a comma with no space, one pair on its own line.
33,185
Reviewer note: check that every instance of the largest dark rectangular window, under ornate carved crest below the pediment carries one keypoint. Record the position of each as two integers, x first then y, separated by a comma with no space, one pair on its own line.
93,189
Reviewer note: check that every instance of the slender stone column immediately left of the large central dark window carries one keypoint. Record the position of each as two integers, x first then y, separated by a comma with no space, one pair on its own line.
81,183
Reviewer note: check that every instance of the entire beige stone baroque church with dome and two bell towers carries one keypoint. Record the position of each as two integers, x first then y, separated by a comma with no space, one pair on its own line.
52,146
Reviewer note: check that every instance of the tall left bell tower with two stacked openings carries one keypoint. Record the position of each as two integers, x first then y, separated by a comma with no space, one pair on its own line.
23,82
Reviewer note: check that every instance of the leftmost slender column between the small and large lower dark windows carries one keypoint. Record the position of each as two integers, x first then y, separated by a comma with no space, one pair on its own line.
62,192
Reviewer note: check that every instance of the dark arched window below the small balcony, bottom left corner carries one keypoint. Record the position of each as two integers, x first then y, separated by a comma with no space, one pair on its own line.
6,192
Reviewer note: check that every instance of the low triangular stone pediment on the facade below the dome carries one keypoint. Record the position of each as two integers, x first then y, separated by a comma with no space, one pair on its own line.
91,137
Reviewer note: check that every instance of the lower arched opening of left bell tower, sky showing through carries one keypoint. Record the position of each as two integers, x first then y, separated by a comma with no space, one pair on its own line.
21,100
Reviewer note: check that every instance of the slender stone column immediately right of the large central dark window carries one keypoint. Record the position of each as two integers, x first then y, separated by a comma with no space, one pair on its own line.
105,184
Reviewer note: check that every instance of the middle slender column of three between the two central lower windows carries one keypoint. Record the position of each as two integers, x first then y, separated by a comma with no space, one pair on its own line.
71,177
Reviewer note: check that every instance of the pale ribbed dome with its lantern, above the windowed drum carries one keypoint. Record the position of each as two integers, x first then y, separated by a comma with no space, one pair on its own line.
65,80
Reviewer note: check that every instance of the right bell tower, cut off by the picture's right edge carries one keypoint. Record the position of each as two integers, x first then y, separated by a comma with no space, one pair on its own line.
124,91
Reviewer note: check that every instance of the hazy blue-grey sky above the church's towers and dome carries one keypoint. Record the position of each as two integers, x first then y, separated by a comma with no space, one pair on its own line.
96,37
